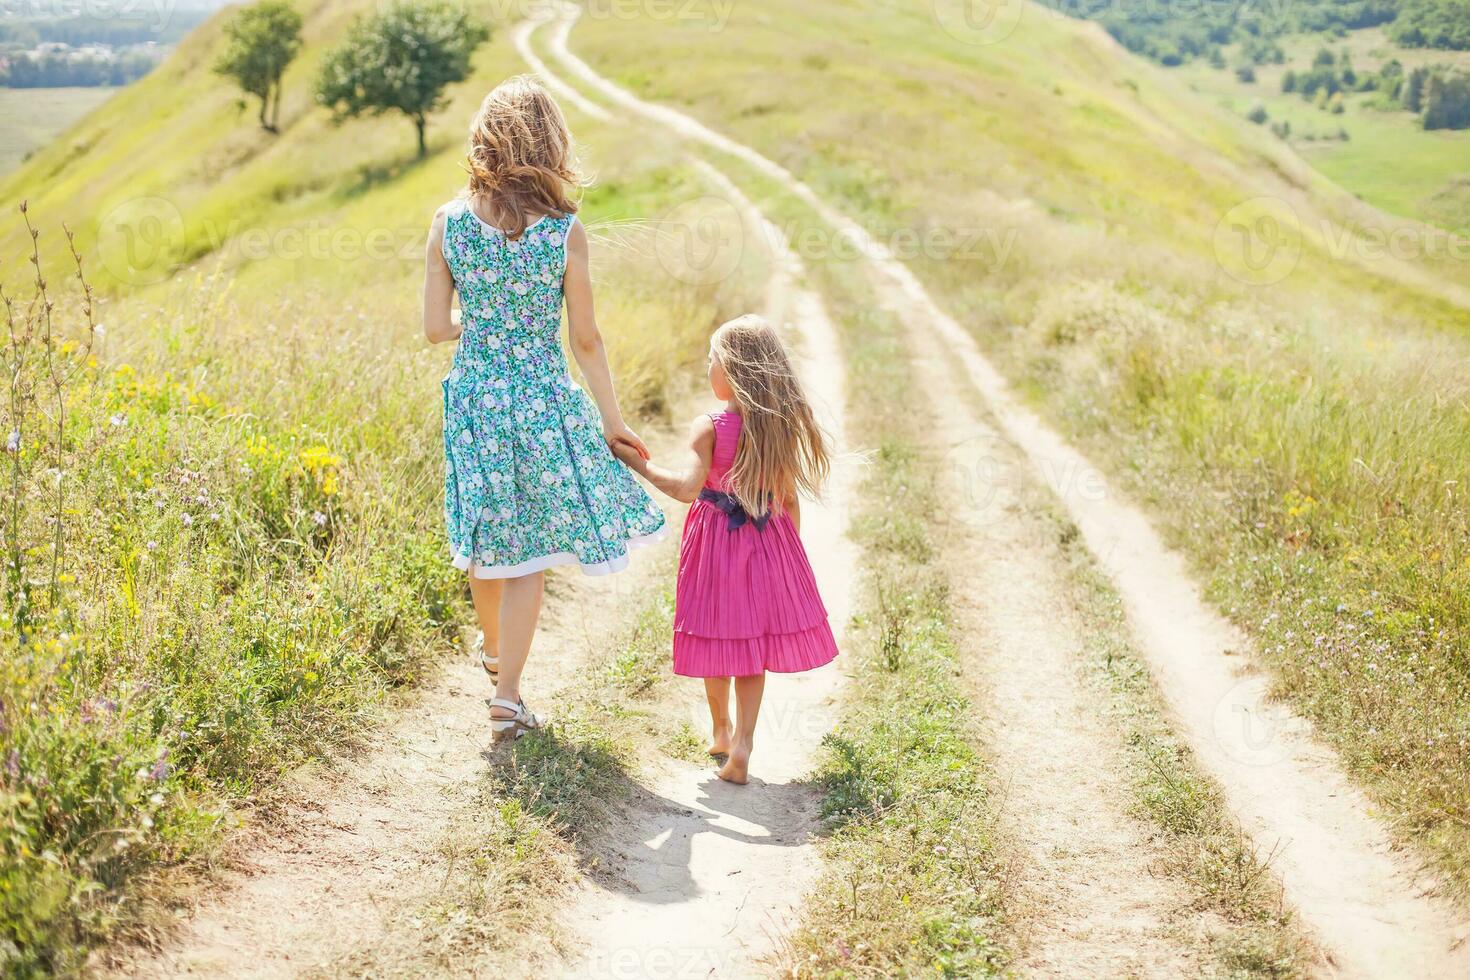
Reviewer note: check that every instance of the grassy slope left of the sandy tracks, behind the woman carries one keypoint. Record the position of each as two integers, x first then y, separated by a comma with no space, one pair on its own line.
255,553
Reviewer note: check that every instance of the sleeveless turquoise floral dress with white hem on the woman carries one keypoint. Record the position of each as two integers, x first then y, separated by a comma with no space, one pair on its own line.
528,481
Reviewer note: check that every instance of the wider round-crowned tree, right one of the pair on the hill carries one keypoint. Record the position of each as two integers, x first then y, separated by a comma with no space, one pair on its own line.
401,61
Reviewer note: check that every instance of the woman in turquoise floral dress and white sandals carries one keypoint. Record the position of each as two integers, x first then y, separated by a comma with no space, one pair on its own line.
530,481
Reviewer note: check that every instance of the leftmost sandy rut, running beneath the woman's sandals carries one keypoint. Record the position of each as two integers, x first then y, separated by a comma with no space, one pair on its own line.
368,832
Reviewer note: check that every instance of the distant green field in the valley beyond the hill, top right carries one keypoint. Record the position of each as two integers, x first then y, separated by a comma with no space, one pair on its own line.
1388,159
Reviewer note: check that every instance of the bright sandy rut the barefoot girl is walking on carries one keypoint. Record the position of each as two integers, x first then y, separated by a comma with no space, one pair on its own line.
708,876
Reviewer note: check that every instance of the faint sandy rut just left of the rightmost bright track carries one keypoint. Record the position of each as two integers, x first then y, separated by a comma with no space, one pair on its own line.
1089,901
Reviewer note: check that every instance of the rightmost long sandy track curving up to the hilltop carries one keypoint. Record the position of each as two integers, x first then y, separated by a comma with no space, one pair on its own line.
1338,865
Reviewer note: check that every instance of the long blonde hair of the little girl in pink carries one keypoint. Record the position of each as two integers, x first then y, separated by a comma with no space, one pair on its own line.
781,450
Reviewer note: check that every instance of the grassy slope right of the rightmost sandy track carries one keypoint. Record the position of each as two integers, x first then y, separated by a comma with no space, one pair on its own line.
1305,442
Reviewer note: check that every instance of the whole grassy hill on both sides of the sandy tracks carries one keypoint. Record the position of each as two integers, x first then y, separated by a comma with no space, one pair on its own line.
254,458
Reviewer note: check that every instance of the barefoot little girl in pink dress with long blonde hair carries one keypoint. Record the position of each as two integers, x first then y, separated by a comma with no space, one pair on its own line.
746,602
